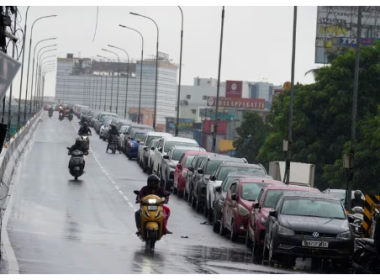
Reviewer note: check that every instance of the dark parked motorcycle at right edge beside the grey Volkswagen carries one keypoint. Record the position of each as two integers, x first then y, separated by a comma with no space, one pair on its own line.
366,259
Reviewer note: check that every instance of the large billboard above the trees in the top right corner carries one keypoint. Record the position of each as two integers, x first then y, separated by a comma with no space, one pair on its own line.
337,28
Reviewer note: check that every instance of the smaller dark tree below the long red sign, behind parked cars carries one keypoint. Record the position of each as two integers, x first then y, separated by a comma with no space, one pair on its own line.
253,133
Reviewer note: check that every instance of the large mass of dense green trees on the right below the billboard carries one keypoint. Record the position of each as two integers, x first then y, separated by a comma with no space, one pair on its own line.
322,118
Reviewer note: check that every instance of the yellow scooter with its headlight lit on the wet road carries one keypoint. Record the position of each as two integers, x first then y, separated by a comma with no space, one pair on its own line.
152,219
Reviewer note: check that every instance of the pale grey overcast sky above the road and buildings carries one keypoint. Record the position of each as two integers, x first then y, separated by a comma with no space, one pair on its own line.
257,39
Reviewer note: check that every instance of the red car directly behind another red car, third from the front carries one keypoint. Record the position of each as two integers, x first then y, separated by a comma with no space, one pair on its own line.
238,205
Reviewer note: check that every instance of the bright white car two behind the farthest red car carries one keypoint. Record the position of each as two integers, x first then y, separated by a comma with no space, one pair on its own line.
164,146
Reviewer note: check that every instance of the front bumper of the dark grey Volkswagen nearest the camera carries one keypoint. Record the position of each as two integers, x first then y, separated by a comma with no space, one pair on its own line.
338,249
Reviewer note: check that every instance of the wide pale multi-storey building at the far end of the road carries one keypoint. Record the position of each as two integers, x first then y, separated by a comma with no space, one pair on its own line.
102,85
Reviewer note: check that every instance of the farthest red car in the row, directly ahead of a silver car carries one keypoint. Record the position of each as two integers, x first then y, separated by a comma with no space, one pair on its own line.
181,169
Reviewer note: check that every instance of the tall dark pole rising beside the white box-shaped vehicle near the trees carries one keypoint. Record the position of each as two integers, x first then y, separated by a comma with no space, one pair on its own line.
290,134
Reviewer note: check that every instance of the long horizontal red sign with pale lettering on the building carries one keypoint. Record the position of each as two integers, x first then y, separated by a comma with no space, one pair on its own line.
244,103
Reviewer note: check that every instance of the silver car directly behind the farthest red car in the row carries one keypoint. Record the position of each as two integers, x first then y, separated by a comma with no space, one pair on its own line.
170,163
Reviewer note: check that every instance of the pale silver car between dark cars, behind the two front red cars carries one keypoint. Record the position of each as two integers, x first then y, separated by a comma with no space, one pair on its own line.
221,173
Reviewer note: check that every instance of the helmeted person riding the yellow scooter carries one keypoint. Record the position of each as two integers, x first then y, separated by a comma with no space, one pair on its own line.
153,188
